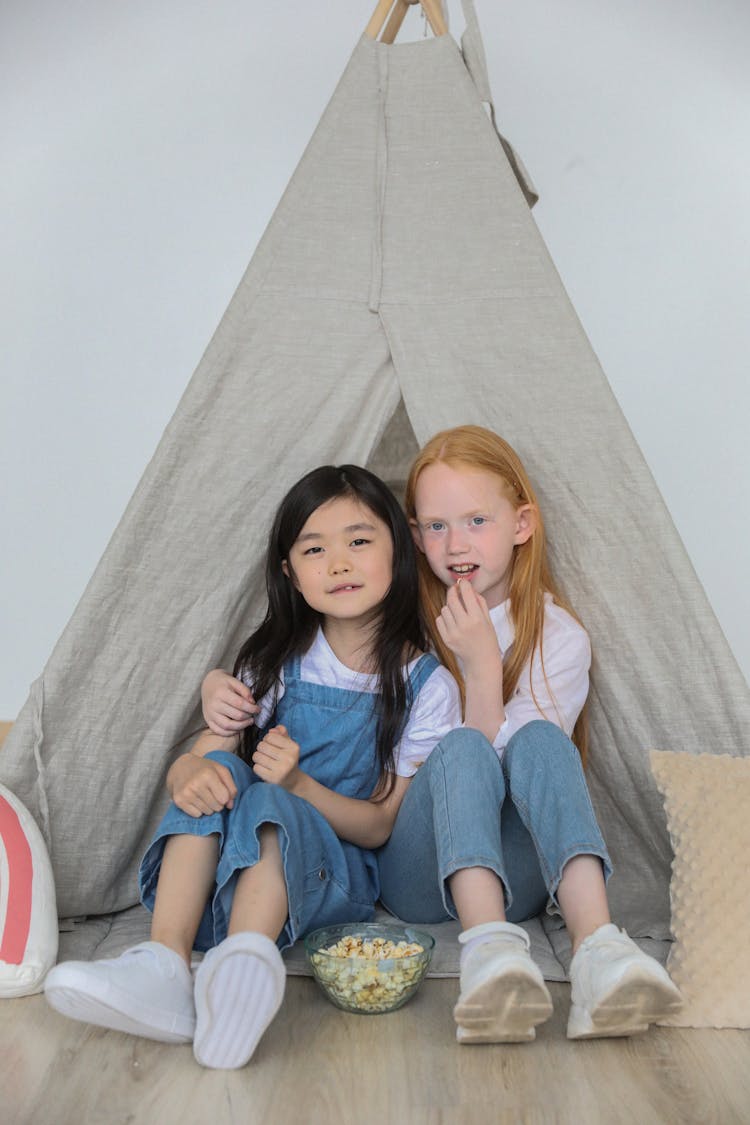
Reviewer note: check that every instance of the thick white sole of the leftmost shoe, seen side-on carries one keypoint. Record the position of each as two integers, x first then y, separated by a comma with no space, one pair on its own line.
84,1000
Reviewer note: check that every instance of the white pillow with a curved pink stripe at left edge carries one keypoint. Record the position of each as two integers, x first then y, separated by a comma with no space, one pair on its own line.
29,915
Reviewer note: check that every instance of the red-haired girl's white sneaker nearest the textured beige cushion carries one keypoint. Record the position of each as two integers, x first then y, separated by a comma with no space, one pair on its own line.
617,989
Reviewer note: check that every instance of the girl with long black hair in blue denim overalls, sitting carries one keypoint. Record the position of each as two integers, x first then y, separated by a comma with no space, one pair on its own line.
270,833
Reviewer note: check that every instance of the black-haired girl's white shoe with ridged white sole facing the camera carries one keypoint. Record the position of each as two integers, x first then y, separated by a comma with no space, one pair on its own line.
239,991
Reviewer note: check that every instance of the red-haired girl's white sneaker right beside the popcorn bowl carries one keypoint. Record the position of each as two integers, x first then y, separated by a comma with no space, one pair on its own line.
503,993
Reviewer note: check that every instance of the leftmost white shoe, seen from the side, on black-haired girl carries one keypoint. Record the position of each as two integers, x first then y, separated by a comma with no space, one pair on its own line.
147,992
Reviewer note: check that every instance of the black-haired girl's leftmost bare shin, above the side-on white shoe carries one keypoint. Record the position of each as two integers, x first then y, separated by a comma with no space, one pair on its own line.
186,879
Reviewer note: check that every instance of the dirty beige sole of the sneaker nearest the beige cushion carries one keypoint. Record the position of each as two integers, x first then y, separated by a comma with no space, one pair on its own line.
631,1006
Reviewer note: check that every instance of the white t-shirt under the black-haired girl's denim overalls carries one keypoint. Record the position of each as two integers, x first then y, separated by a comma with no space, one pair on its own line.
435,713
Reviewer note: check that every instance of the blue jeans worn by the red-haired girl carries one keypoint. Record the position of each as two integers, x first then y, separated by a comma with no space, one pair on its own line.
525,818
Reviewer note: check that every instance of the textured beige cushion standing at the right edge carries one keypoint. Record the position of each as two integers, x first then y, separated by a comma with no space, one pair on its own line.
708,806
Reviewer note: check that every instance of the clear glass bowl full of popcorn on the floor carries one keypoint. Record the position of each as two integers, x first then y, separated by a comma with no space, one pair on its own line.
369,979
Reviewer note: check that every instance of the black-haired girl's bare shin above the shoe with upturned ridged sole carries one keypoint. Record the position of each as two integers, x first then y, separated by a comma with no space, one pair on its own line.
260,899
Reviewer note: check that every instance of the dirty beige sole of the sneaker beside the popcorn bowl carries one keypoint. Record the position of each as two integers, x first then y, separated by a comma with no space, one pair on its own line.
504,1010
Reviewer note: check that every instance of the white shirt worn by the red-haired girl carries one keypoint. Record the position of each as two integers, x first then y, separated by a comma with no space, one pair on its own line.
561,689
